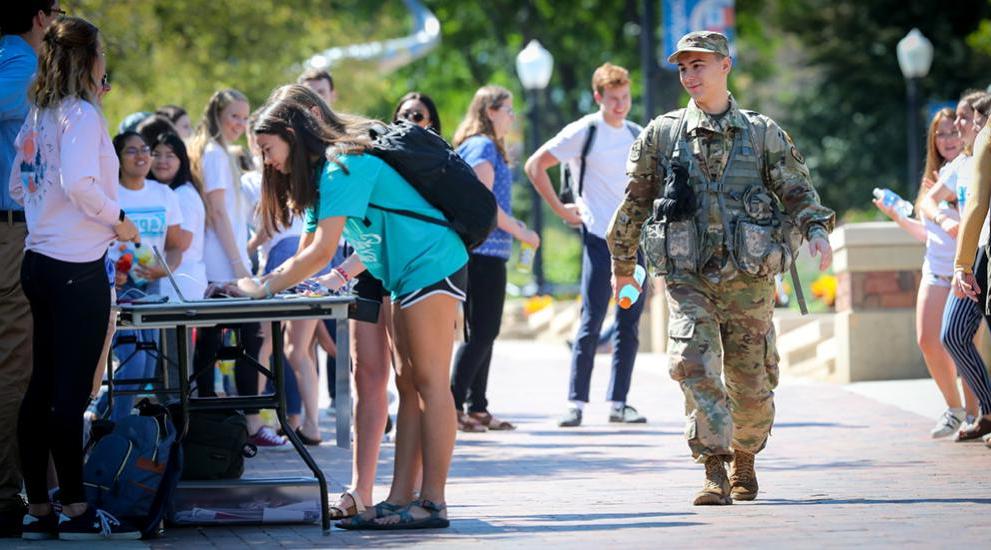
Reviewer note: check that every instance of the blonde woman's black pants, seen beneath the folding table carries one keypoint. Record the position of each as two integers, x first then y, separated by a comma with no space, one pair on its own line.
208,343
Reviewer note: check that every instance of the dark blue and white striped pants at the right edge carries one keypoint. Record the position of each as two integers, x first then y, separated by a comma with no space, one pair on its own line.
961,321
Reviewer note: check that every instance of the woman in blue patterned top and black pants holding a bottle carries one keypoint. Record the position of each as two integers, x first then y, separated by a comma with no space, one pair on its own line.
479,140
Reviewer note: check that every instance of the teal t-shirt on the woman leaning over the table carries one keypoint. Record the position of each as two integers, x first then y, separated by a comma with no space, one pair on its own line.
404,253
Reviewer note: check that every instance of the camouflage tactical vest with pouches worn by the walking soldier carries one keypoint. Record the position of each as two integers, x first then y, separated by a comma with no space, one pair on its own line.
747,230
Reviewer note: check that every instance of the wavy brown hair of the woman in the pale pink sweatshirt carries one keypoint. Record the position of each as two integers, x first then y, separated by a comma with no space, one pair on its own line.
69,51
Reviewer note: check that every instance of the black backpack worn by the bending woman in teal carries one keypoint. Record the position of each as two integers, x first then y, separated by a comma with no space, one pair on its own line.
442,177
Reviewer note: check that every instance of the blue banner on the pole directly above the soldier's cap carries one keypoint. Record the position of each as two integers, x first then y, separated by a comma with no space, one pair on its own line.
684,16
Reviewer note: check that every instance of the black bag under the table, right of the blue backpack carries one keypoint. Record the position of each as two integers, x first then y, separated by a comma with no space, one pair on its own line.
216,445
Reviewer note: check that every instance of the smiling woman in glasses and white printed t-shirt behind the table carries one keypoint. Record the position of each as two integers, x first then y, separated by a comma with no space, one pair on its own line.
155,210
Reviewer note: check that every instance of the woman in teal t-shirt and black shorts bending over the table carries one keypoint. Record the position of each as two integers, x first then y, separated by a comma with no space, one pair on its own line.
325,175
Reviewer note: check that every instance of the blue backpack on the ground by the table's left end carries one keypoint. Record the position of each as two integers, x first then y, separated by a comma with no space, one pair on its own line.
132,472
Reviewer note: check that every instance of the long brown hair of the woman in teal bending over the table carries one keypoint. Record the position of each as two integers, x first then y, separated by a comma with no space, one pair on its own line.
312,143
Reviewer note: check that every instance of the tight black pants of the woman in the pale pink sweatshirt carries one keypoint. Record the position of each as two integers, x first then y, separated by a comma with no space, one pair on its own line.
70,303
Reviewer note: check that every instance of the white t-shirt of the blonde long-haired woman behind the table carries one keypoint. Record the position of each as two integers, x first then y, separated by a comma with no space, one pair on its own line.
217,176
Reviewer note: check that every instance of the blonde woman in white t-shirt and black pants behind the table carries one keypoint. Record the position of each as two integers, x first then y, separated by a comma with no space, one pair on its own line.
225,246
